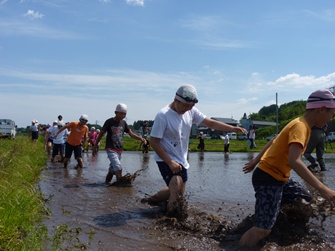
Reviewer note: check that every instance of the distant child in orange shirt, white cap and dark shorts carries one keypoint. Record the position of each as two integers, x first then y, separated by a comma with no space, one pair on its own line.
79,131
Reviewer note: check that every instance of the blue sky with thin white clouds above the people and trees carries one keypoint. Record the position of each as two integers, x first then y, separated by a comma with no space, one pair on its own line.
73,57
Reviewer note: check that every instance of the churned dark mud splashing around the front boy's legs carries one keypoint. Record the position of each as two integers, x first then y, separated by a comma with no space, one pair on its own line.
292,231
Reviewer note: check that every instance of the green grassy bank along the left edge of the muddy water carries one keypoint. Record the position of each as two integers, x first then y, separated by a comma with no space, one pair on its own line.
21,206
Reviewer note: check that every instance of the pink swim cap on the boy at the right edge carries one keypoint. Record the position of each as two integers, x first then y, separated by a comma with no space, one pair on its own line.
320,98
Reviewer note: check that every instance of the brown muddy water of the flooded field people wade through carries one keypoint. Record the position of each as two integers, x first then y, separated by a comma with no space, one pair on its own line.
88,215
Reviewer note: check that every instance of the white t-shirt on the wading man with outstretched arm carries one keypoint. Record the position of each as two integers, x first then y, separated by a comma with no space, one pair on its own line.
174,131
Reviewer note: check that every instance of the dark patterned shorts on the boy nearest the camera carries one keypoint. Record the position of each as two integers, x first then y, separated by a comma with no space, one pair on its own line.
270,197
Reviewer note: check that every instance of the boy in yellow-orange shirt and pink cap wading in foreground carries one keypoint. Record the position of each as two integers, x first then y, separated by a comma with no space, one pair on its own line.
271,179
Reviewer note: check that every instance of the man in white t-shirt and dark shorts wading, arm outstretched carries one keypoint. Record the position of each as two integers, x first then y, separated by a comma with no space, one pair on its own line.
170,140
